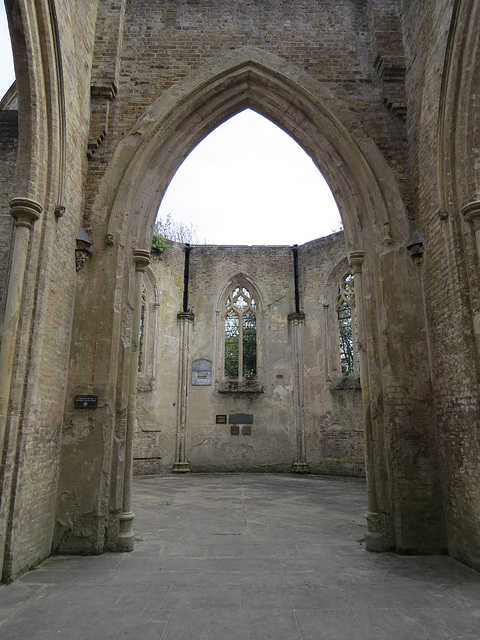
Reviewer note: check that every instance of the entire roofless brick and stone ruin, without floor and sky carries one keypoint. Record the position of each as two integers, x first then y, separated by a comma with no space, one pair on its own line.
115,360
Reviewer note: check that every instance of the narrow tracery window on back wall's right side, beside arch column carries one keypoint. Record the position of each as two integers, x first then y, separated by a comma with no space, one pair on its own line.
347,325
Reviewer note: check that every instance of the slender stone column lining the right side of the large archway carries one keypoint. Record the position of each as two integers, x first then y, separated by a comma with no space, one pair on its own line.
374,539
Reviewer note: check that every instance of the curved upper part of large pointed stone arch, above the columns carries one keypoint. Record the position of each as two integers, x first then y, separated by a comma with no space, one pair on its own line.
146,160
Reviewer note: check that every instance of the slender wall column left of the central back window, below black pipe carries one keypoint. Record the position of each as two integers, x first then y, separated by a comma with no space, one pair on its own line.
181,465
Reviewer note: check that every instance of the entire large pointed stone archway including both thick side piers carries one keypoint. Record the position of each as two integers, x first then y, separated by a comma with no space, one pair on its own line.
405,511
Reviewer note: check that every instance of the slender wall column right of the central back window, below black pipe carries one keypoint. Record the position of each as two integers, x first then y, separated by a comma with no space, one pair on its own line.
297,323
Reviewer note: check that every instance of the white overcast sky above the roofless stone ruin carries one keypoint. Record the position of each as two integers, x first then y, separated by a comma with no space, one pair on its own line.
246,183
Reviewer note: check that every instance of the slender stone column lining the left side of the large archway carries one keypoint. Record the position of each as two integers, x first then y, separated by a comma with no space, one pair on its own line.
126,535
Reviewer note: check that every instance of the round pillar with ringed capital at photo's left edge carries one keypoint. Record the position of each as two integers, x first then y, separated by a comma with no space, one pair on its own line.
25,212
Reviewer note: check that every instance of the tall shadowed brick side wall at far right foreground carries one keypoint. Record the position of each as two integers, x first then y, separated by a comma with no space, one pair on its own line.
447,268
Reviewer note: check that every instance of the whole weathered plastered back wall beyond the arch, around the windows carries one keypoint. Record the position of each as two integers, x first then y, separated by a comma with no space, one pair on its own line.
333,419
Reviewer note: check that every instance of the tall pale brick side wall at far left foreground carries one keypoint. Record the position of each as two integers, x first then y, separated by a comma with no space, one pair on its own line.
37,395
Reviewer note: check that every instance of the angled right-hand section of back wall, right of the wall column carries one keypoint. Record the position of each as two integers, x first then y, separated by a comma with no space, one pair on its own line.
333,401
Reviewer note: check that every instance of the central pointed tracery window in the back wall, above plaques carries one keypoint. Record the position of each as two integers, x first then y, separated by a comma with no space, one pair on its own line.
240,337
